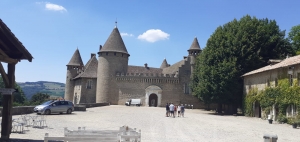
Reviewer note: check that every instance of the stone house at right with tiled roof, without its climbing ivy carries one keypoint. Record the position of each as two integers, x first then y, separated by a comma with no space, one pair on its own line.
268,76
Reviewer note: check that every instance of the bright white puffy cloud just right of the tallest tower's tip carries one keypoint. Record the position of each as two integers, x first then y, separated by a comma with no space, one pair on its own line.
154,35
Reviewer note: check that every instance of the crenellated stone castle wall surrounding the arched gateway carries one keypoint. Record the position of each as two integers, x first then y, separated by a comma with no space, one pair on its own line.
134,88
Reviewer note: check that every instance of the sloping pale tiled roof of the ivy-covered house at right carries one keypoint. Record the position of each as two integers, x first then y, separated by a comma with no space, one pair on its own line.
284,63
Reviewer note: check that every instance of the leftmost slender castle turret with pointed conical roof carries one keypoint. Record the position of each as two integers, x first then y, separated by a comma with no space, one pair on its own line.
74,67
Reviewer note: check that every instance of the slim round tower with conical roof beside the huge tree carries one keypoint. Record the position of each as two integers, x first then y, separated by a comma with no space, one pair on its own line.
194,51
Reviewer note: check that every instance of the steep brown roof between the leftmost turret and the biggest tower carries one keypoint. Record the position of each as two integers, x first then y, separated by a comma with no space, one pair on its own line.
90,69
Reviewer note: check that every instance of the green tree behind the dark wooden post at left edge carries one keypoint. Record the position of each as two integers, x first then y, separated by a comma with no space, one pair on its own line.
18,96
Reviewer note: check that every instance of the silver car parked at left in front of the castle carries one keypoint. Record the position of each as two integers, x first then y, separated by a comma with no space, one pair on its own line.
55,107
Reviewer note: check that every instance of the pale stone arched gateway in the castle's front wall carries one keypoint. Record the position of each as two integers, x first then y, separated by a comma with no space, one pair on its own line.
153,96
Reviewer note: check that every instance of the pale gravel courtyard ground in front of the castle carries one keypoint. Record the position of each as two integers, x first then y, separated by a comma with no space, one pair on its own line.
197,125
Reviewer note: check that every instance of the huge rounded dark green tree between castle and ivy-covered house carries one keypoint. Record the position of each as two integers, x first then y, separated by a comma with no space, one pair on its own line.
233,49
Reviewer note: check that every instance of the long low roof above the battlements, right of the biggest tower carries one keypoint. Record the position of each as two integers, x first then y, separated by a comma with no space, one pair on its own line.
141,69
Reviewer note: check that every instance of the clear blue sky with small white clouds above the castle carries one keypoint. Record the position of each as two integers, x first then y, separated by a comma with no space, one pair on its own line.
152,30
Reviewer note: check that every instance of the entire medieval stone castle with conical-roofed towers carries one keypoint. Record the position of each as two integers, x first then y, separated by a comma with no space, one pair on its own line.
109,79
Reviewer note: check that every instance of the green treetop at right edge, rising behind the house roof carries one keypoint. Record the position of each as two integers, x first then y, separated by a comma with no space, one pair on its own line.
294,37
